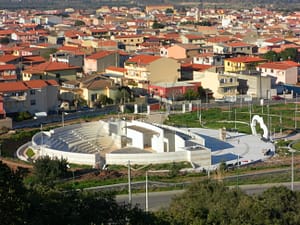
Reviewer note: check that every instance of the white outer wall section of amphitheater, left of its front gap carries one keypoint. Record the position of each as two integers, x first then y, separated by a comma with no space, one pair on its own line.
77,158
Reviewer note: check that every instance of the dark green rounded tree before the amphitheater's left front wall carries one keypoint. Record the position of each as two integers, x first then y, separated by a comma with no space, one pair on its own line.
46,170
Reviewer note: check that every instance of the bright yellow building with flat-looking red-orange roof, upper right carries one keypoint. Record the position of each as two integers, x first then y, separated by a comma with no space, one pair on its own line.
243,63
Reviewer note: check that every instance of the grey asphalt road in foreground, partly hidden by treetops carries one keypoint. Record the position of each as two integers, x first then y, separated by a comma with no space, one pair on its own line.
158,200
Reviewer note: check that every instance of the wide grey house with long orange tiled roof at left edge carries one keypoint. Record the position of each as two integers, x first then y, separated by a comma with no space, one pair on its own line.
32,96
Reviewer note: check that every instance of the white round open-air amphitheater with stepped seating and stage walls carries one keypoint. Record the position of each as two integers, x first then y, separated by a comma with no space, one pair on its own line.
118,141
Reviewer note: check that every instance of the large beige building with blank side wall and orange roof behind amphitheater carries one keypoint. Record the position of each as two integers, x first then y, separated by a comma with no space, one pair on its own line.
146,69
